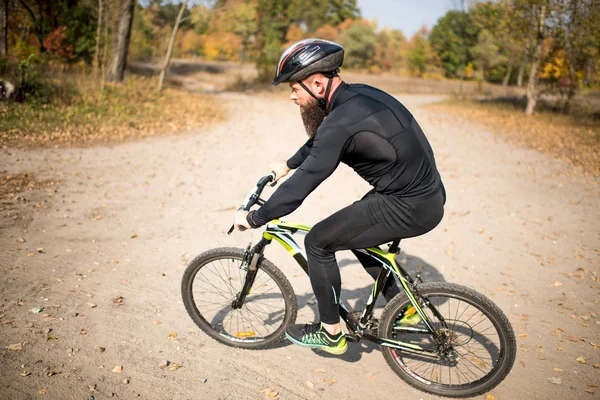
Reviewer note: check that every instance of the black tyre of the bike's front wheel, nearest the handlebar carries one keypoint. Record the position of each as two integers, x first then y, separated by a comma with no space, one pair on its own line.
290,308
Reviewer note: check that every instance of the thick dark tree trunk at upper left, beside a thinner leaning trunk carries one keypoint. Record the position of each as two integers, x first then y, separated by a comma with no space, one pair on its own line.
121,37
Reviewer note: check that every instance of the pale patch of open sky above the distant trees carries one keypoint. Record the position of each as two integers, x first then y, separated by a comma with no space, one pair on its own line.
406,15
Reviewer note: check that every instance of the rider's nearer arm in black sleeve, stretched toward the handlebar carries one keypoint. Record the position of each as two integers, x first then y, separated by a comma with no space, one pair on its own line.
322,160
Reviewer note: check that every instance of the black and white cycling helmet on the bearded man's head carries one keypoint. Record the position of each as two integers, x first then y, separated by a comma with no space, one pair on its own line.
307,57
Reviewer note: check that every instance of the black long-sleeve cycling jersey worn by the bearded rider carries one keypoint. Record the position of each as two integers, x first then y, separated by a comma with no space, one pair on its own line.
373,133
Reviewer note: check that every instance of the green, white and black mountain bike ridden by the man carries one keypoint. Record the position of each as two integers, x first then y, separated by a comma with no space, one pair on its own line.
439,337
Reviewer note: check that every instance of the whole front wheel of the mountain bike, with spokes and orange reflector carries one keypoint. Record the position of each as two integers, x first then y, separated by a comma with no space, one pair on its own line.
212,282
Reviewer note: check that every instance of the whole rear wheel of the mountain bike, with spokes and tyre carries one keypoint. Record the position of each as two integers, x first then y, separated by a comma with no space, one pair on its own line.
475,344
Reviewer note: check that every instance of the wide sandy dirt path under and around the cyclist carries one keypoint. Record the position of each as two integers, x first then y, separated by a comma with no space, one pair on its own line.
126,220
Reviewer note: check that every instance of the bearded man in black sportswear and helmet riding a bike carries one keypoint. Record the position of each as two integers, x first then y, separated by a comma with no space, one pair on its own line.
377,136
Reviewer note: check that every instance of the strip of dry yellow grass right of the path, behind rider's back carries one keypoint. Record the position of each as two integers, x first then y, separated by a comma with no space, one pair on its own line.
575,139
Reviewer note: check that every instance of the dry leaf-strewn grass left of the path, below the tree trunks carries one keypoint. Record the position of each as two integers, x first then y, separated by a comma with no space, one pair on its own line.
84,115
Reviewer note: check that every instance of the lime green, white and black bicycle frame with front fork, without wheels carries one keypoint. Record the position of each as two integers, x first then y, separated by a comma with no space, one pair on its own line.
282,233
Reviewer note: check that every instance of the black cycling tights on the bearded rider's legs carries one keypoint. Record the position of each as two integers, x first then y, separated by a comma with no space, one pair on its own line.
369,222
